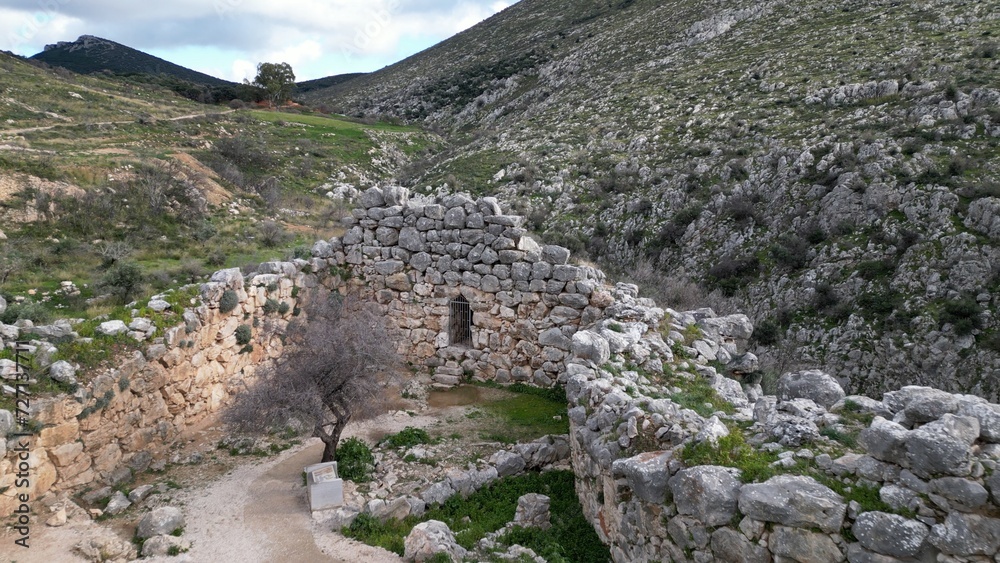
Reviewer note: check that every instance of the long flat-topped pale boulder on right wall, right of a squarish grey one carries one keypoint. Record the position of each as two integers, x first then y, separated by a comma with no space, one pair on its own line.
794,500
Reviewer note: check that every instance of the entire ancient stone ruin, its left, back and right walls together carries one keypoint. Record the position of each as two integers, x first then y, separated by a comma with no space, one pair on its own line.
664,472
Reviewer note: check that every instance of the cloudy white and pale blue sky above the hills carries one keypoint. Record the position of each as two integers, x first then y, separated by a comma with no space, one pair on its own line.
227,38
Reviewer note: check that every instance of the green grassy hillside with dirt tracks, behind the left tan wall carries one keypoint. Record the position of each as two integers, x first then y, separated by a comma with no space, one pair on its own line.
95,175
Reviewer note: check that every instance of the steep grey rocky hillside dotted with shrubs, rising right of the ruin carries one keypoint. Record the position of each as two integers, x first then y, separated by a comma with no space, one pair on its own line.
826,167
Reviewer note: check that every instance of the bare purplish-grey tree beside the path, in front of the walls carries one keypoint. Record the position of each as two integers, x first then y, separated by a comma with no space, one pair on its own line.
336,371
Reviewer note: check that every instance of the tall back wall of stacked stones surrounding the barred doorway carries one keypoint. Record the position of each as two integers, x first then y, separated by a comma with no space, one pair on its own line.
416,256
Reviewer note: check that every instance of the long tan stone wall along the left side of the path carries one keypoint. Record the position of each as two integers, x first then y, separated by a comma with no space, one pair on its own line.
123,420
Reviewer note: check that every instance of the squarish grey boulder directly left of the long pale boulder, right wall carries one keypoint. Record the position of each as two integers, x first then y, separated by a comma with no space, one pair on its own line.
709,493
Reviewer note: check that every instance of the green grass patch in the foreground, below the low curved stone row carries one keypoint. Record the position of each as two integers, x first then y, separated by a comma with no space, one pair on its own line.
571,537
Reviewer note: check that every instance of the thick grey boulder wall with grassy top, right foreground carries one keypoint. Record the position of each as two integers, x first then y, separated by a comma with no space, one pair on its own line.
920,484
